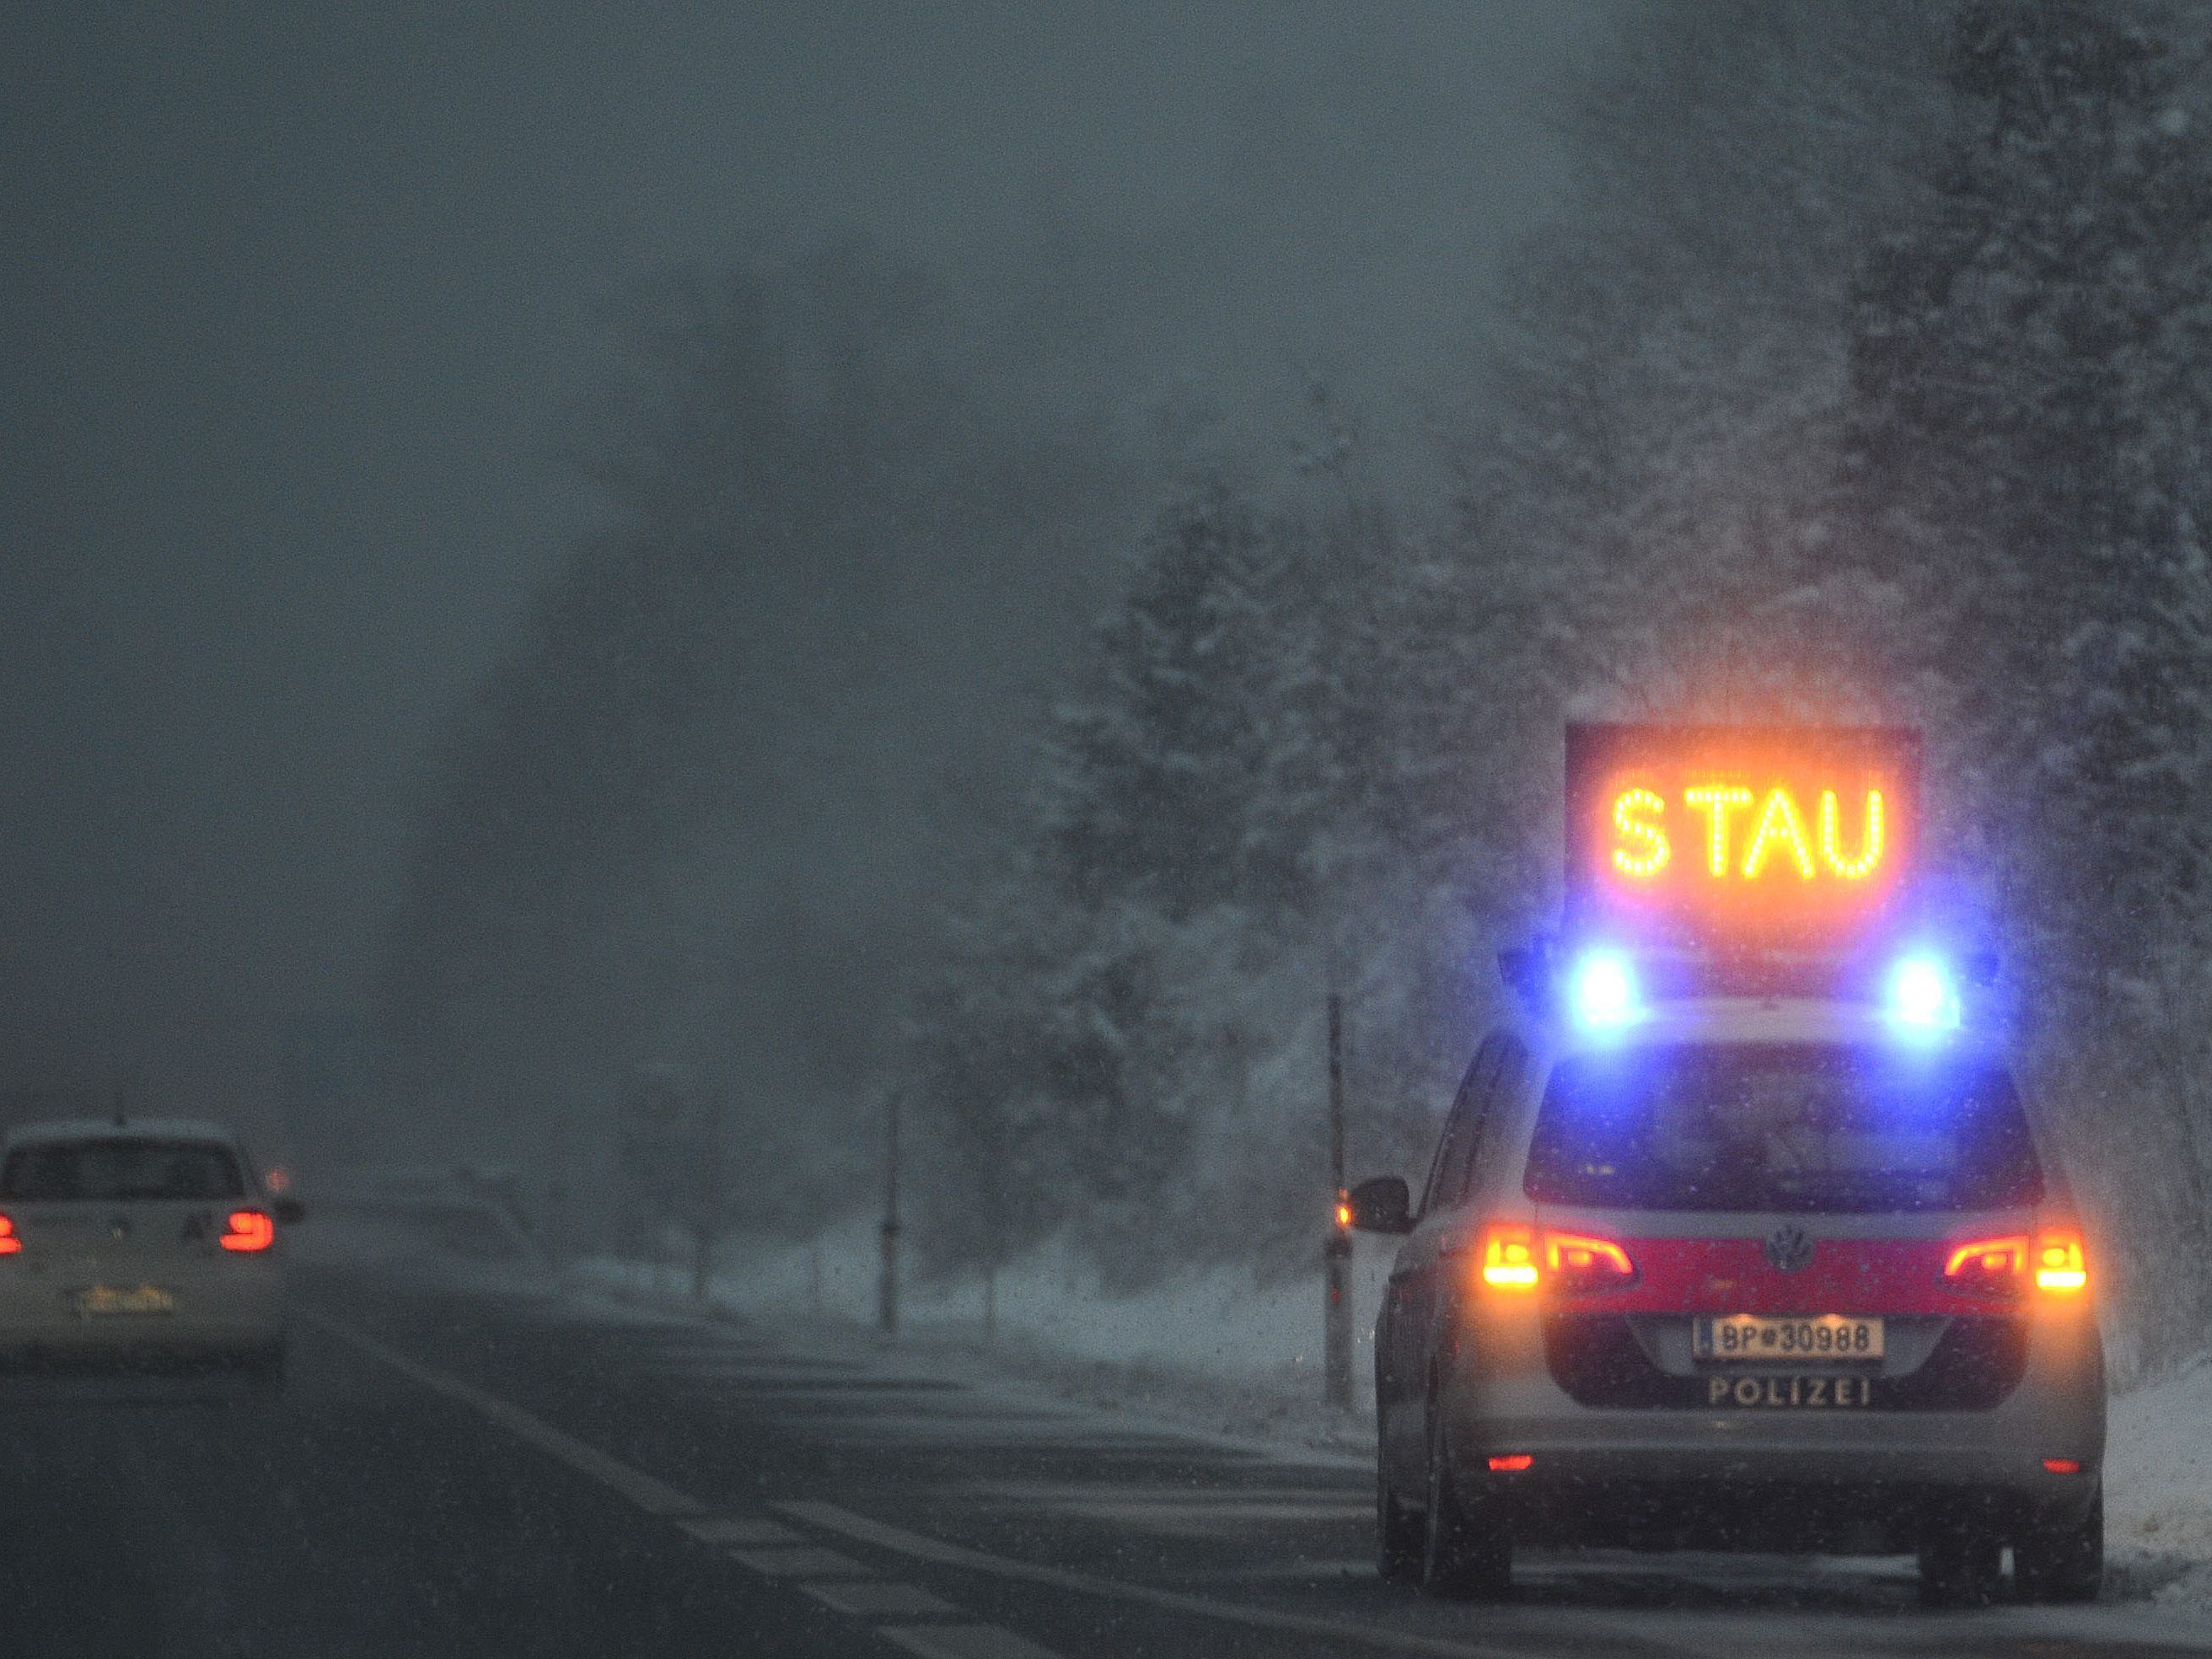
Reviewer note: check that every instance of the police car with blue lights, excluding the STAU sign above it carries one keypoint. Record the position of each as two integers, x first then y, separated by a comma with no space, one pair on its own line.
1740,1273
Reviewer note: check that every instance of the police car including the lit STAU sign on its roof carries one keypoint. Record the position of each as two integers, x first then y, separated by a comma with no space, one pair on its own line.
1738,1233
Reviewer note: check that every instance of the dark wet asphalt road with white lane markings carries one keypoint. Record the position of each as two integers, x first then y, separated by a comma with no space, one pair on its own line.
483,1465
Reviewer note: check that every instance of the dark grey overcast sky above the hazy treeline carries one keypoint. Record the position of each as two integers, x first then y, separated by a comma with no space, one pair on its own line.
295,295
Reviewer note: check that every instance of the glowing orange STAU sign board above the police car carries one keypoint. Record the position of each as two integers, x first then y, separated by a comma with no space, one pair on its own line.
1751,833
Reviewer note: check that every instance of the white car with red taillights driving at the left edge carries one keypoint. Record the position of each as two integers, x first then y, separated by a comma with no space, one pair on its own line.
138,1244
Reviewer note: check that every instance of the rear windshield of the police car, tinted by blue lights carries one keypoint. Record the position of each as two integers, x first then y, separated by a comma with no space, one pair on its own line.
1782,1127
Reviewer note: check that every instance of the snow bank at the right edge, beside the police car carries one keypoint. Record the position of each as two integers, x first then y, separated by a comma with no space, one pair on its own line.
2158,1490
